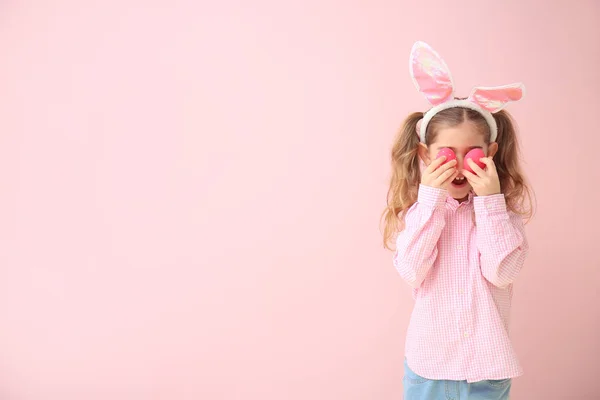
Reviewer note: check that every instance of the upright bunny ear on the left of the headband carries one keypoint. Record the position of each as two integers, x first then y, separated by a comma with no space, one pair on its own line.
430,74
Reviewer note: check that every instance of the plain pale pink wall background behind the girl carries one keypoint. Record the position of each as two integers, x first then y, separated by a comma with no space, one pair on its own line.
191,193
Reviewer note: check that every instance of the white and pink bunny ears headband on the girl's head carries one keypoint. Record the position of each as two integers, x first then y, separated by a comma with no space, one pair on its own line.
432,77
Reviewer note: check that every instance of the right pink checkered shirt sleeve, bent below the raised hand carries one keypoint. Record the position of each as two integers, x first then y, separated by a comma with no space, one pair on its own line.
501,240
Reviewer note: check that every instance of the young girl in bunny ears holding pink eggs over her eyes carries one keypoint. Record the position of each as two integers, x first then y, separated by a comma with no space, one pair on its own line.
460,238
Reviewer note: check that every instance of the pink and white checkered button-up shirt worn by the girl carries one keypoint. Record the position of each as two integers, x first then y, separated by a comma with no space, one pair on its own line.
461,260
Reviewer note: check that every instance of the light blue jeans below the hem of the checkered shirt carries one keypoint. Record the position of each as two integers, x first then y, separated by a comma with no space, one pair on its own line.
419,388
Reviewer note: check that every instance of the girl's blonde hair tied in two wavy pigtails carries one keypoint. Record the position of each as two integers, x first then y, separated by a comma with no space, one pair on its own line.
406,174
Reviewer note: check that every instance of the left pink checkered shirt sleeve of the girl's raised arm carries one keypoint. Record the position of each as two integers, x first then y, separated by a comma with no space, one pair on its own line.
416,245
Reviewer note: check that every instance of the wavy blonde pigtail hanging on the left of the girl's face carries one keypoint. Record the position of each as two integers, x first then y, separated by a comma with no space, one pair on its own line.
405,179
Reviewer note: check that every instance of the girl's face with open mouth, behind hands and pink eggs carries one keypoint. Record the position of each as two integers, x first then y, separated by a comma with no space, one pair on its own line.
461,139
